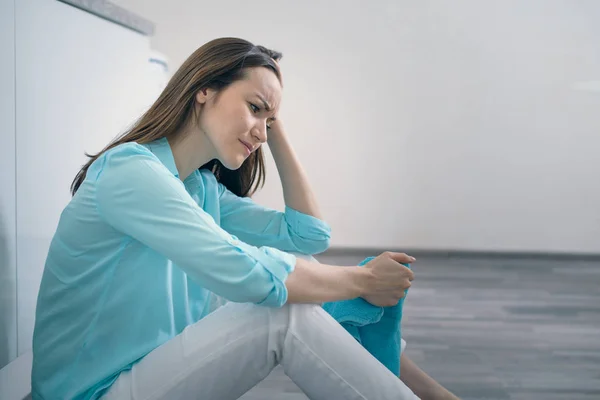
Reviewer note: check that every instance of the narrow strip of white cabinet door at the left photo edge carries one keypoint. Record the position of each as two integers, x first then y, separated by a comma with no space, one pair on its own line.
8,273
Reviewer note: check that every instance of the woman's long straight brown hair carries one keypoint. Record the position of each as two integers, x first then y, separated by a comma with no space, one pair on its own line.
215,65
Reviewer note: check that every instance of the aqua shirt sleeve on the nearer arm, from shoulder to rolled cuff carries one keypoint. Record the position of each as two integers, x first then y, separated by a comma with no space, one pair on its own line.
139,197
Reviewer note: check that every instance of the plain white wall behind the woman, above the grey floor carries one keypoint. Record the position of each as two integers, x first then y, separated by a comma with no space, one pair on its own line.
429,124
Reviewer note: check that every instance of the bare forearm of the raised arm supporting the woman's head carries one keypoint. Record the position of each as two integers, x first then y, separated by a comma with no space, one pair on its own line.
297,192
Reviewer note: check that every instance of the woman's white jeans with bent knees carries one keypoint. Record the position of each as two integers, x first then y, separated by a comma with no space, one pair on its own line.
232,349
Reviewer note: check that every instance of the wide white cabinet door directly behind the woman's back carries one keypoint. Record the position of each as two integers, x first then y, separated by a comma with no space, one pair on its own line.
81,80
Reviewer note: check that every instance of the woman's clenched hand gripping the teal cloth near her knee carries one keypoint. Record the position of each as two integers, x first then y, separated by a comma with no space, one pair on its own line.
388,279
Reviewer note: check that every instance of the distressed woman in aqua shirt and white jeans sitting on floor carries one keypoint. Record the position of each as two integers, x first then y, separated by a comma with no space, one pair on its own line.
160,222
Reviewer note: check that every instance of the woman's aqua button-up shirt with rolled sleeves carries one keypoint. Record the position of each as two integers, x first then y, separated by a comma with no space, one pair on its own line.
134,260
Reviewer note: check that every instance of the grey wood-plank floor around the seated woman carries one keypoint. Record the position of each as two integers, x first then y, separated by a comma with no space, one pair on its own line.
495,328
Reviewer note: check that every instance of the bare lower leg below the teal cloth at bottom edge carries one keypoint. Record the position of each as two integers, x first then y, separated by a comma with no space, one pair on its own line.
422,384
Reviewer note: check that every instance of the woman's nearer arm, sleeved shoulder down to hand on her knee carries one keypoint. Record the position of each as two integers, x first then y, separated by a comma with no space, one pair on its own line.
136,195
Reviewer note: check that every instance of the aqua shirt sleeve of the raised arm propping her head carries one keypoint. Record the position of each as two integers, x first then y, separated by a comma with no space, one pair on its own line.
290,230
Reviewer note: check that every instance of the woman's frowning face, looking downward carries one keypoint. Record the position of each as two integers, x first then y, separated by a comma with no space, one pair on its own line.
235,119
